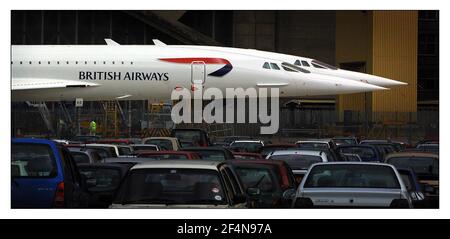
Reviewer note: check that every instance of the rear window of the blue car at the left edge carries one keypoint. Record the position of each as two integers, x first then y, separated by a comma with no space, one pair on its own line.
32,160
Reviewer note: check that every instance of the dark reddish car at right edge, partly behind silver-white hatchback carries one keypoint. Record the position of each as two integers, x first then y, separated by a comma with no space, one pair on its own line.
425,166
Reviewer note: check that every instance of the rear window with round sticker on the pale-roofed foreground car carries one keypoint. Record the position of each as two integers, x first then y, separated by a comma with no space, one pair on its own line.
174,186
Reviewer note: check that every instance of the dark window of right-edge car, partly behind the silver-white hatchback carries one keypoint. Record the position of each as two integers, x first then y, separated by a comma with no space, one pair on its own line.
422,166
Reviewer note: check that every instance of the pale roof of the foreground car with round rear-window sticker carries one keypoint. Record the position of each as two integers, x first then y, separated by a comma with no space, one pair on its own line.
185,164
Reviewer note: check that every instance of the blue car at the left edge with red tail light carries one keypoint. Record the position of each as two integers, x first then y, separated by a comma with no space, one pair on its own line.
44,175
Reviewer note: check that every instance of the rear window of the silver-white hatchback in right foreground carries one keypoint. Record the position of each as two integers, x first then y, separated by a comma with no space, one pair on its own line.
352,176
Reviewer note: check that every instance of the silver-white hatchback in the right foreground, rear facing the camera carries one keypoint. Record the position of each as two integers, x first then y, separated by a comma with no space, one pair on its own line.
352,184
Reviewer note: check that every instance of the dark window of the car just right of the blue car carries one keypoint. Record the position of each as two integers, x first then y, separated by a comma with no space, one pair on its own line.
97,178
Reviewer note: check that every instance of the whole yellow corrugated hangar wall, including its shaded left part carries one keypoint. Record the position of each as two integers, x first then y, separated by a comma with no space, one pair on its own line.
387,42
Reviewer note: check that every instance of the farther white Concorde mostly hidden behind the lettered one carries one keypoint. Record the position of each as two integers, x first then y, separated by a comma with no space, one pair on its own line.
312,65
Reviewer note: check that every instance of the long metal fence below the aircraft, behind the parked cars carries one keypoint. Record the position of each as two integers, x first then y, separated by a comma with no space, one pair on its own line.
134,118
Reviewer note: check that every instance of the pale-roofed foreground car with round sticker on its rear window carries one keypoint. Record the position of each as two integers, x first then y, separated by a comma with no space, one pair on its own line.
181,184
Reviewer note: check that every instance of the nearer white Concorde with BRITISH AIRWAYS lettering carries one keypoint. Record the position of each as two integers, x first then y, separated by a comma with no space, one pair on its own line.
136,72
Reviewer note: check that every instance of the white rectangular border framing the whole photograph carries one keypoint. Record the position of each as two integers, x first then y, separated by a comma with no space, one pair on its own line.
6,212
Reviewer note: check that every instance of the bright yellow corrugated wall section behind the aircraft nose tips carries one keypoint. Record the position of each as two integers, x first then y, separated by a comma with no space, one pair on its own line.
395,56
